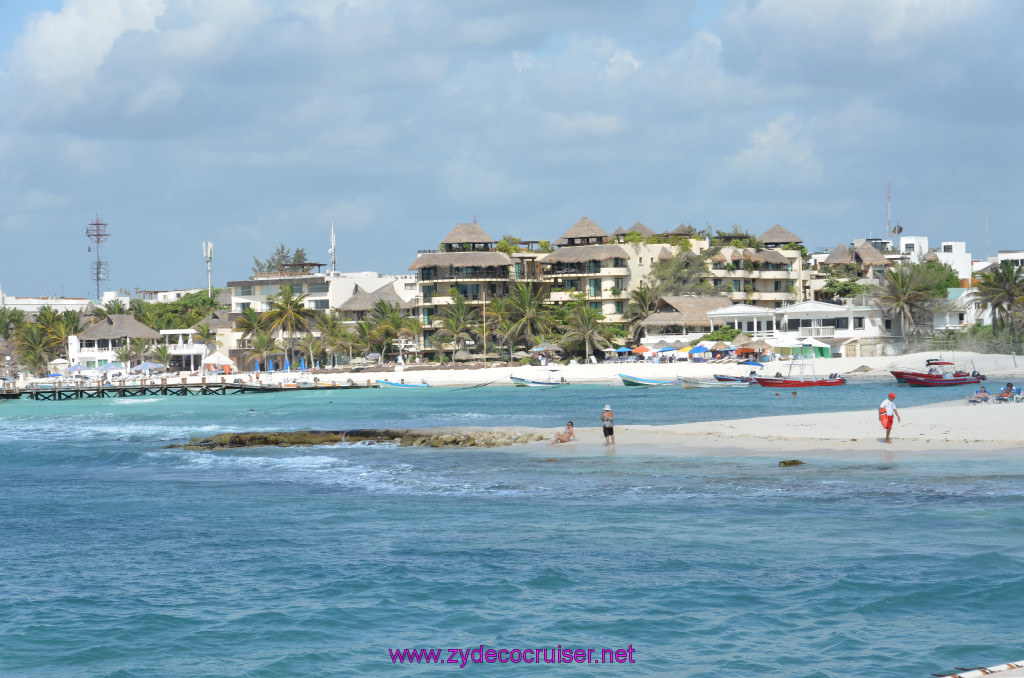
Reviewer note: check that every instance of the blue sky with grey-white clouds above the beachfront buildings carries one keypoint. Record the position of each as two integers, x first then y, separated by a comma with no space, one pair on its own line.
251,123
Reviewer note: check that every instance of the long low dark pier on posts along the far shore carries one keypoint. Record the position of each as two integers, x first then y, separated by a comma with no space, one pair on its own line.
163,389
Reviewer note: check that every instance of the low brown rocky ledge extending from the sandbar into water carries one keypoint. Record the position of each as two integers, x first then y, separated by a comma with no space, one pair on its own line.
424,438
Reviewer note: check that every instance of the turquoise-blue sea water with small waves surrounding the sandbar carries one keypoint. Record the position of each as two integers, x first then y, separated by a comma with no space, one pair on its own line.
120,558
